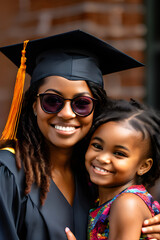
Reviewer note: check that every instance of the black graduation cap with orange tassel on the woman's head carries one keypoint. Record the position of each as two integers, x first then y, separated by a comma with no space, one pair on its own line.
75,55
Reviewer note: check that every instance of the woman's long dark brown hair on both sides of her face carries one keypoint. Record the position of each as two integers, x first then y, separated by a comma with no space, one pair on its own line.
31,148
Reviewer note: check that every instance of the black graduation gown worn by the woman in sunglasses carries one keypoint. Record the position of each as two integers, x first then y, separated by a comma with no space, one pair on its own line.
22,216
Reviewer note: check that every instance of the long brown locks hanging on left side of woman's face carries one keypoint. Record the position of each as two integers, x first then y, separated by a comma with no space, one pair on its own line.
30,148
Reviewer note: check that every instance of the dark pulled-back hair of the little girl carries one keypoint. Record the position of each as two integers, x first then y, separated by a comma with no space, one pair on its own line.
141,118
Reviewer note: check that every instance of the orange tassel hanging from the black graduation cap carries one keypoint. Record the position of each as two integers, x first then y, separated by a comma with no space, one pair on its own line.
10,130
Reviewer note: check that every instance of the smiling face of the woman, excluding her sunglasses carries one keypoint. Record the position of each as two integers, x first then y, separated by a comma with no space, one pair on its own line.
63,129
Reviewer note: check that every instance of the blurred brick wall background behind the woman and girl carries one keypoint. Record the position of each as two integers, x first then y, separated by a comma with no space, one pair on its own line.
132,26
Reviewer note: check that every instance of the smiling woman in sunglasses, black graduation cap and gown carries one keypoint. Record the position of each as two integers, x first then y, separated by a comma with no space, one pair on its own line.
48,191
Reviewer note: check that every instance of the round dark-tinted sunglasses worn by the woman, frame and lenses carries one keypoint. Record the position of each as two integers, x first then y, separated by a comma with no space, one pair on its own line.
53,103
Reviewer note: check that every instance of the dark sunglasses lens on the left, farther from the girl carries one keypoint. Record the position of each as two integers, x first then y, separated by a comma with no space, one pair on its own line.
52,103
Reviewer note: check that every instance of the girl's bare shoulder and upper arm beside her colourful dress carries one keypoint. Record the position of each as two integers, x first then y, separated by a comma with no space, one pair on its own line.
127,214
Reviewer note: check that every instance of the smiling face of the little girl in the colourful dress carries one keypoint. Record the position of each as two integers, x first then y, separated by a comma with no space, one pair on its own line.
116,153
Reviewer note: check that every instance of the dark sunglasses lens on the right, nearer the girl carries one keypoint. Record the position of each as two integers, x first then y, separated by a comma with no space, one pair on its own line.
82,106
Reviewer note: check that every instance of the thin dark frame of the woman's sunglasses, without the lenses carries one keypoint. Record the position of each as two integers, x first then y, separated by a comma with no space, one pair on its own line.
41,95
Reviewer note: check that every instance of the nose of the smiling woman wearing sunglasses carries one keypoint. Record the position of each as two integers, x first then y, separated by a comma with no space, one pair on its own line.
66,111
